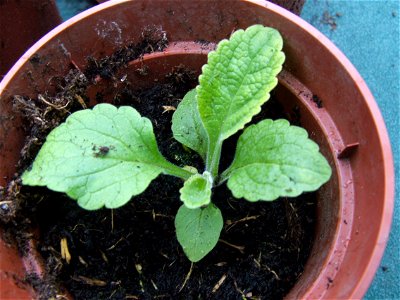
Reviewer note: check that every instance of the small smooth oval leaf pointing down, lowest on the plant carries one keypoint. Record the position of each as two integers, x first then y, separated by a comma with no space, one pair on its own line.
198,230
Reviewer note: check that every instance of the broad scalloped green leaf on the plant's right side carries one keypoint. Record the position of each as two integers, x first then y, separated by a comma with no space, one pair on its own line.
274,159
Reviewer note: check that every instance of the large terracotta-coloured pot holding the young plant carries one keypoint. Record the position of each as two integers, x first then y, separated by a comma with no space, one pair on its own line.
354,208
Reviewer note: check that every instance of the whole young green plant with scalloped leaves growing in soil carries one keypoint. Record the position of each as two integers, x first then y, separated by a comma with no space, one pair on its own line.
105,155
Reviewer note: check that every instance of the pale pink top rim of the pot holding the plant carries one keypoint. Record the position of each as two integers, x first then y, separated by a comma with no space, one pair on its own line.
378,122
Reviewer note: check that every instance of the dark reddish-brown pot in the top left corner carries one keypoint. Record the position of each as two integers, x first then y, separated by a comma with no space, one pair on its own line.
22,23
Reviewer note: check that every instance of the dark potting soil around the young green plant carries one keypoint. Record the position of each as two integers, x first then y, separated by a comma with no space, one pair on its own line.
132,252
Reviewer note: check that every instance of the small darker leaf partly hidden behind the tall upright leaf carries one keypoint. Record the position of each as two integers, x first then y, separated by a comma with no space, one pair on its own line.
187,126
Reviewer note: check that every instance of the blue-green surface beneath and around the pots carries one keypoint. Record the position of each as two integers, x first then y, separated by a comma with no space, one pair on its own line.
367,31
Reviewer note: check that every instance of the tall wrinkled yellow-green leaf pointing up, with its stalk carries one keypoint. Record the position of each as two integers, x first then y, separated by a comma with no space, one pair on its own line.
235,82
